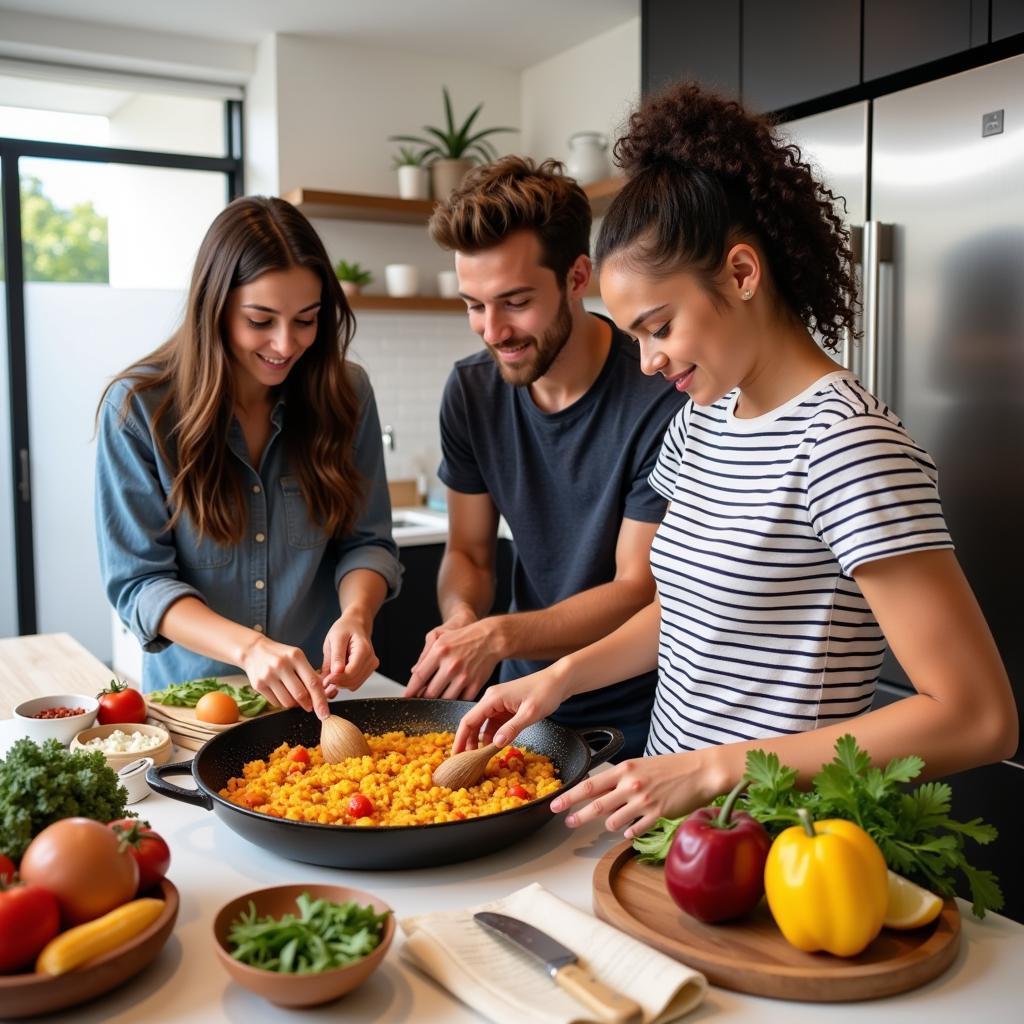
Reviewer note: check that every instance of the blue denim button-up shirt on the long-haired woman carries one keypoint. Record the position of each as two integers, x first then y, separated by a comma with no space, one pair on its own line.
282,580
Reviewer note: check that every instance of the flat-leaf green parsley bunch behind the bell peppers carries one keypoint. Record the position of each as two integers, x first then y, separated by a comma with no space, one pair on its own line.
913,828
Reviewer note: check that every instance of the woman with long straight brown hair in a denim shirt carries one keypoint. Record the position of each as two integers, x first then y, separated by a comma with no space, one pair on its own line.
242,510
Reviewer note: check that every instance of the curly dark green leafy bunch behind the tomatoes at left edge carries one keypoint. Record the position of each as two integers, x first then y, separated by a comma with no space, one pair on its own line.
42,784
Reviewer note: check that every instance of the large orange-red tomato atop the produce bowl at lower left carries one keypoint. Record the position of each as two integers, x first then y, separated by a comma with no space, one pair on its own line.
80,862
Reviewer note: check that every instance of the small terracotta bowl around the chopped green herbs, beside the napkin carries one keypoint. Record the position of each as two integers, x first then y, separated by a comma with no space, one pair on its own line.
298,990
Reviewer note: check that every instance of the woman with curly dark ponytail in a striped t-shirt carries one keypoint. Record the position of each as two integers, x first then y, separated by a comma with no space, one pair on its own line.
805,529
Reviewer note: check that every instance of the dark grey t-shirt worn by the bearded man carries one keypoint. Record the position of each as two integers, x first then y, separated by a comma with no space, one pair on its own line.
564,482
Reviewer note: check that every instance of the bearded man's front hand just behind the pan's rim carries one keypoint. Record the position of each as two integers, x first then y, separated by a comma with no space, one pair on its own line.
458,659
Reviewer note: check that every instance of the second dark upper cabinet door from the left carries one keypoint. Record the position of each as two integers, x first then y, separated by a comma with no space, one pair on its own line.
794,51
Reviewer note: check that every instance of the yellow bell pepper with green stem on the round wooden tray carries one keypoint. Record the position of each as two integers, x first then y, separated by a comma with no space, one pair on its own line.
828,886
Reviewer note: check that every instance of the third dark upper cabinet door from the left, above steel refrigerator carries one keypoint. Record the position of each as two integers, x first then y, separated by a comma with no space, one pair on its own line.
910,33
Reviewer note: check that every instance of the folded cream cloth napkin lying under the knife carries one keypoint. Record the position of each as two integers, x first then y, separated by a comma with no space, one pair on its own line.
509,987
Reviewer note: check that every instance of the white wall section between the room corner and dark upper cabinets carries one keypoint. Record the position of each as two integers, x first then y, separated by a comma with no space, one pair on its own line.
590,88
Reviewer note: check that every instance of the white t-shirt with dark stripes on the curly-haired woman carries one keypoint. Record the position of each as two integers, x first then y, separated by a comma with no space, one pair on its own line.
764,632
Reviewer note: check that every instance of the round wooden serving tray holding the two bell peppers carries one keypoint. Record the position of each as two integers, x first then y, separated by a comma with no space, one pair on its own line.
751,956
